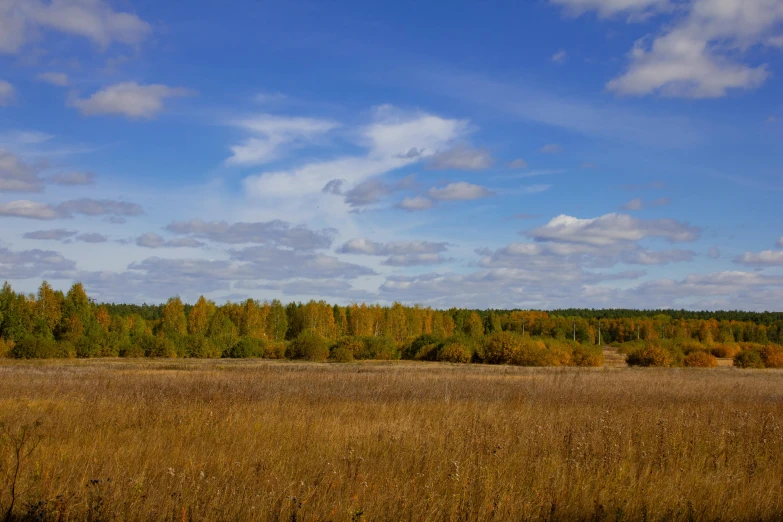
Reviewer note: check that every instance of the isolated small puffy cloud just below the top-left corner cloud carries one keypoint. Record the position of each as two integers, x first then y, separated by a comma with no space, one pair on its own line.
128,99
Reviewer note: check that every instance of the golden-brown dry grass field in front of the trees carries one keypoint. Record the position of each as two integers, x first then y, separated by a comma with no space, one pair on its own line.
266,440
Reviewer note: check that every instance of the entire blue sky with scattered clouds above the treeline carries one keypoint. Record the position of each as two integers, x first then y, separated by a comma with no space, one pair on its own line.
483,154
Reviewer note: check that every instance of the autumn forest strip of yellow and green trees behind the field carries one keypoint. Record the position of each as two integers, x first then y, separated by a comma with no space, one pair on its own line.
54,324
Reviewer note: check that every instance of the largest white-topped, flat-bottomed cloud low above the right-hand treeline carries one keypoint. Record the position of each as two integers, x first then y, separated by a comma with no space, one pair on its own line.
611,229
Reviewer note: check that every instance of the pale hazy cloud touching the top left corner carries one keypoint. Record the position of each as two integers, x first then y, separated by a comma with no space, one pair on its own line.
93,19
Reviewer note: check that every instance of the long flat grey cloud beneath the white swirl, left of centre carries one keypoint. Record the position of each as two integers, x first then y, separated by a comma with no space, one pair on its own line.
270,233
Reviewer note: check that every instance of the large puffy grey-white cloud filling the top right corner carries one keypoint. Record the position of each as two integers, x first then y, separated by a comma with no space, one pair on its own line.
698,55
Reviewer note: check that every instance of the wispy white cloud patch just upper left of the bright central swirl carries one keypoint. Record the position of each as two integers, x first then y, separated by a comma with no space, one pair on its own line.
273,135
